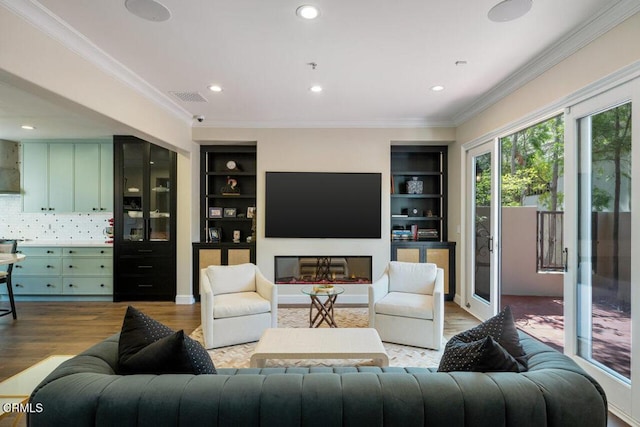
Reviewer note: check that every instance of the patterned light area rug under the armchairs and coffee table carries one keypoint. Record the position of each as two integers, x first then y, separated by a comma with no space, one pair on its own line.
237,356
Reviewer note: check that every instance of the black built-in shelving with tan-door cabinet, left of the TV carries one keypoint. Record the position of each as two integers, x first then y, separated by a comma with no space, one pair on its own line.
227,207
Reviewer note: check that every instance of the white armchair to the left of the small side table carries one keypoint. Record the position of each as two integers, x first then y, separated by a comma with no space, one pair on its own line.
237,304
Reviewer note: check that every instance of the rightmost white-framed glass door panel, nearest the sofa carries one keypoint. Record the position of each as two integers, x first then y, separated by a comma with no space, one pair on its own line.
602,273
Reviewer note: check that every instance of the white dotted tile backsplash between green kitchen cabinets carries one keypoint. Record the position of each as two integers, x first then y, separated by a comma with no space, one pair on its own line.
14,224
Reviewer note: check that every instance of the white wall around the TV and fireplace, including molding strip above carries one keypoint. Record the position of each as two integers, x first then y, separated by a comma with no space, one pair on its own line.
326,150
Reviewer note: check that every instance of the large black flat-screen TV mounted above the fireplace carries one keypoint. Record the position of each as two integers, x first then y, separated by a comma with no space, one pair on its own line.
323,205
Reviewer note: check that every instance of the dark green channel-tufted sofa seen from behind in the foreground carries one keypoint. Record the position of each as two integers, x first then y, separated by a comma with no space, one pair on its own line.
85,391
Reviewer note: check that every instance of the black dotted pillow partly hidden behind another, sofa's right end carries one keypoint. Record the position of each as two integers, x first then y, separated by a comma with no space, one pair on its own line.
502,328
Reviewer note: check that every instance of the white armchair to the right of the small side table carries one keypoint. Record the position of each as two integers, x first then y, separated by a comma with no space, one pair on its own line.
406,304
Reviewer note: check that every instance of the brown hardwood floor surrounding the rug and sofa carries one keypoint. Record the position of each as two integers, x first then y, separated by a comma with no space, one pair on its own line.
47,328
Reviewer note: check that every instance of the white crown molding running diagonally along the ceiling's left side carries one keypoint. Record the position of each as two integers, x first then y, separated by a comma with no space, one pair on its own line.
41,18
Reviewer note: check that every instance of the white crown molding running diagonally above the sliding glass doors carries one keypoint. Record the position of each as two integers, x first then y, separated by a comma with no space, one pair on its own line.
604,21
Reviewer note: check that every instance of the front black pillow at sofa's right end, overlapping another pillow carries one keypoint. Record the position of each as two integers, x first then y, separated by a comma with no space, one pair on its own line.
483,355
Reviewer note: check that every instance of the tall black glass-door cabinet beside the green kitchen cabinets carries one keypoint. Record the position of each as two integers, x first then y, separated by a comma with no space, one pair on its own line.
145,221
